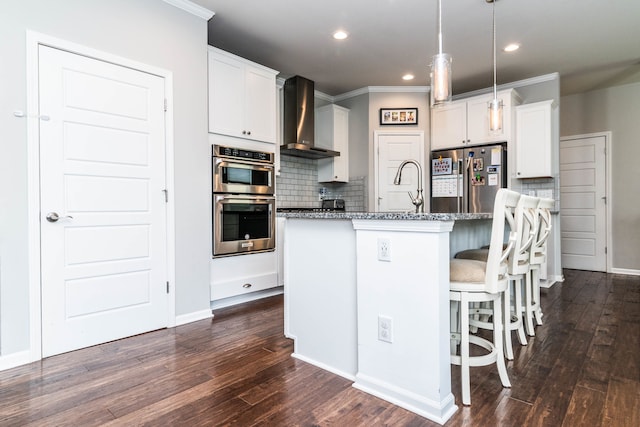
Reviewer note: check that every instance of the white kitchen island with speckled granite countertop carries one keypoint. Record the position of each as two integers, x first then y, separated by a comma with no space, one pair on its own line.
338,290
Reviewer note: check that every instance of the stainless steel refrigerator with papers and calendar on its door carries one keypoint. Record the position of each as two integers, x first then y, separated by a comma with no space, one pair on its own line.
467,180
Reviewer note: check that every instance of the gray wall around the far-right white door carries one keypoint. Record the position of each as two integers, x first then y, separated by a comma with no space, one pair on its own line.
615,109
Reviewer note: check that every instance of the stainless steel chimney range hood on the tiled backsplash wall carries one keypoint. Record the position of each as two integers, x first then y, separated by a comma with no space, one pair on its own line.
298,133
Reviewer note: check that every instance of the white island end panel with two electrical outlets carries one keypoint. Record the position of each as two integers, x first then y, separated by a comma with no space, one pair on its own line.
411,289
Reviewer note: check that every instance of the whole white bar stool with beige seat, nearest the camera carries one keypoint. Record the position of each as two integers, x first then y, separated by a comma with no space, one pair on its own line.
479,281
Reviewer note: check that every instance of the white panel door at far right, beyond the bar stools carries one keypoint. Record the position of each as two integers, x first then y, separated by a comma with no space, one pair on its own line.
583,203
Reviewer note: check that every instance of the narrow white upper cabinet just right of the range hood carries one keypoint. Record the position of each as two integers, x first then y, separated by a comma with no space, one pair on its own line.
332,132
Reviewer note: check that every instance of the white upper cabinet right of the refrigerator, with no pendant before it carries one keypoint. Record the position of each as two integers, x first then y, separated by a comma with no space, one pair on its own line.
534,139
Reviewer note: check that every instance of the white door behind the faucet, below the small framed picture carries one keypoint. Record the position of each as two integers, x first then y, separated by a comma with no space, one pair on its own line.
392,148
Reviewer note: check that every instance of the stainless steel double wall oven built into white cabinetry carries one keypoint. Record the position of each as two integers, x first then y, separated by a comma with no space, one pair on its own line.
243,201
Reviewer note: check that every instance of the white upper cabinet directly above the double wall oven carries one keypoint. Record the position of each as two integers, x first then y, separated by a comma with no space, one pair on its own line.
242,97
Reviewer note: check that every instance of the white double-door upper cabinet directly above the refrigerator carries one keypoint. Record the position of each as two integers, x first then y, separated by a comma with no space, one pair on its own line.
466,122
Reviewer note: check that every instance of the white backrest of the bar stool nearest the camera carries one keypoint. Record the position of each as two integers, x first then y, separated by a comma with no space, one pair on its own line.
496,277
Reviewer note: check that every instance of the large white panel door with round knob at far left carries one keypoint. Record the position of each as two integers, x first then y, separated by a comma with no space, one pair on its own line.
102,170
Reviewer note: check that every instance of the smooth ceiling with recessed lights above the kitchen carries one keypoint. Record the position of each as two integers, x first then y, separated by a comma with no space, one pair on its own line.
591,44
